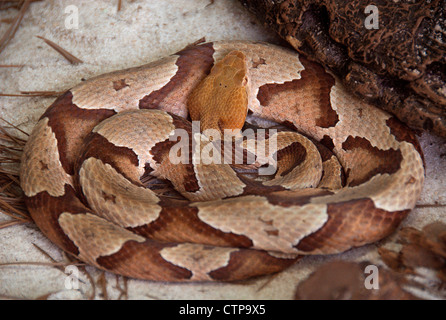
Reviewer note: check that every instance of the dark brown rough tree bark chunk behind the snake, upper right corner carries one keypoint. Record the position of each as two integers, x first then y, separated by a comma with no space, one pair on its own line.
399,67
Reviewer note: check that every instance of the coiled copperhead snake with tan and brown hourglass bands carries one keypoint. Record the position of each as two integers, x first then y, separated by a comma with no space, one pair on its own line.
97,173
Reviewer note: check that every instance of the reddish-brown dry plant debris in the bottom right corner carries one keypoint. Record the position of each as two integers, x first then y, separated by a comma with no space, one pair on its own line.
416,271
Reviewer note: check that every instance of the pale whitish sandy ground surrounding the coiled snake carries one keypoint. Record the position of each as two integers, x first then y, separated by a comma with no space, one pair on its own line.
108,40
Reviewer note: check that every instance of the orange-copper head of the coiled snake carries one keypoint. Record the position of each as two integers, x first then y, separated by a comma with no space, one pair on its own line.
220,101
